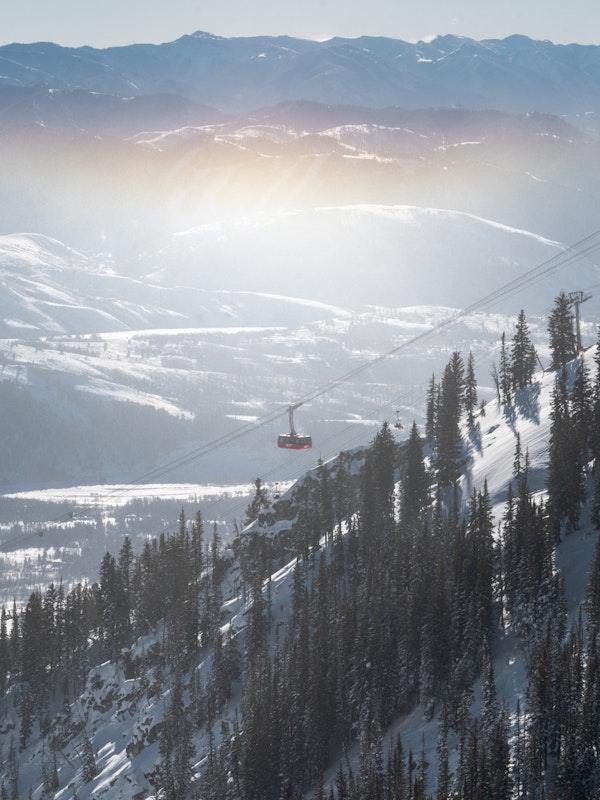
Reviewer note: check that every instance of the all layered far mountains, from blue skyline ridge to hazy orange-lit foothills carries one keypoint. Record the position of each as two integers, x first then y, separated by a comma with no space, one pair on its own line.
115,150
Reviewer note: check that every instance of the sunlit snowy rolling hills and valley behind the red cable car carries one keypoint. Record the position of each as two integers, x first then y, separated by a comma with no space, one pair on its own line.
232,321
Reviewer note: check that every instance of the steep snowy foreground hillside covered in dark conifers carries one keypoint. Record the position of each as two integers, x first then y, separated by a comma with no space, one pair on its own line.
384,583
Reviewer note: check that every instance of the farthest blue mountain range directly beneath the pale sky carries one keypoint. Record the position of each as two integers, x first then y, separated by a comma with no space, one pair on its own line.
516,74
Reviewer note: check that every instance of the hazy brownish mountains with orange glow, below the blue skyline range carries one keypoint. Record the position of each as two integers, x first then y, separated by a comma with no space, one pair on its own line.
126,190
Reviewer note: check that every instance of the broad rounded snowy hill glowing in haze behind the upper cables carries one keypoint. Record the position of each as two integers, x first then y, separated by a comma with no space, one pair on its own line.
406,254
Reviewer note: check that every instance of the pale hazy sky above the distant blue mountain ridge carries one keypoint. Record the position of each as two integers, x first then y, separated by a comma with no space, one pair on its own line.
105,23
